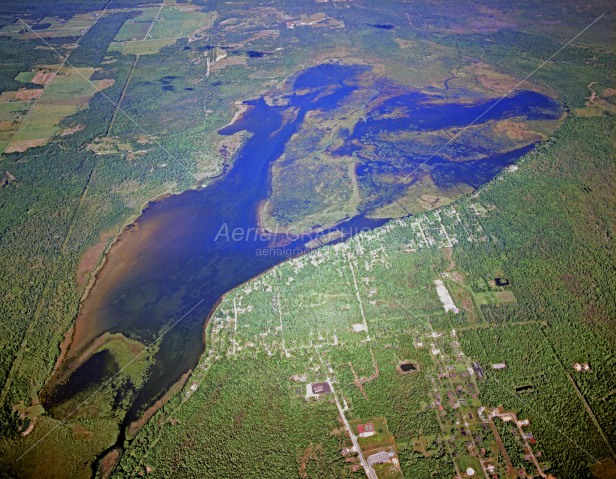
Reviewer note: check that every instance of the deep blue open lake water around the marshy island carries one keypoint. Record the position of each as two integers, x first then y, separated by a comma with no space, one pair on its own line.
181,252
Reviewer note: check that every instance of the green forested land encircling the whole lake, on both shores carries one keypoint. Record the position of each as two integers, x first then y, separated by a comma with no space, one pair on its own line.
353,311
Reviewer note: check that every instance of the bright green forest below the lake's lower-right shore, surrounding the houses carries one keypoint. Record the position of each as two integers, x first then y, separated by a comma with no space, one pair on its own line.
538,244
